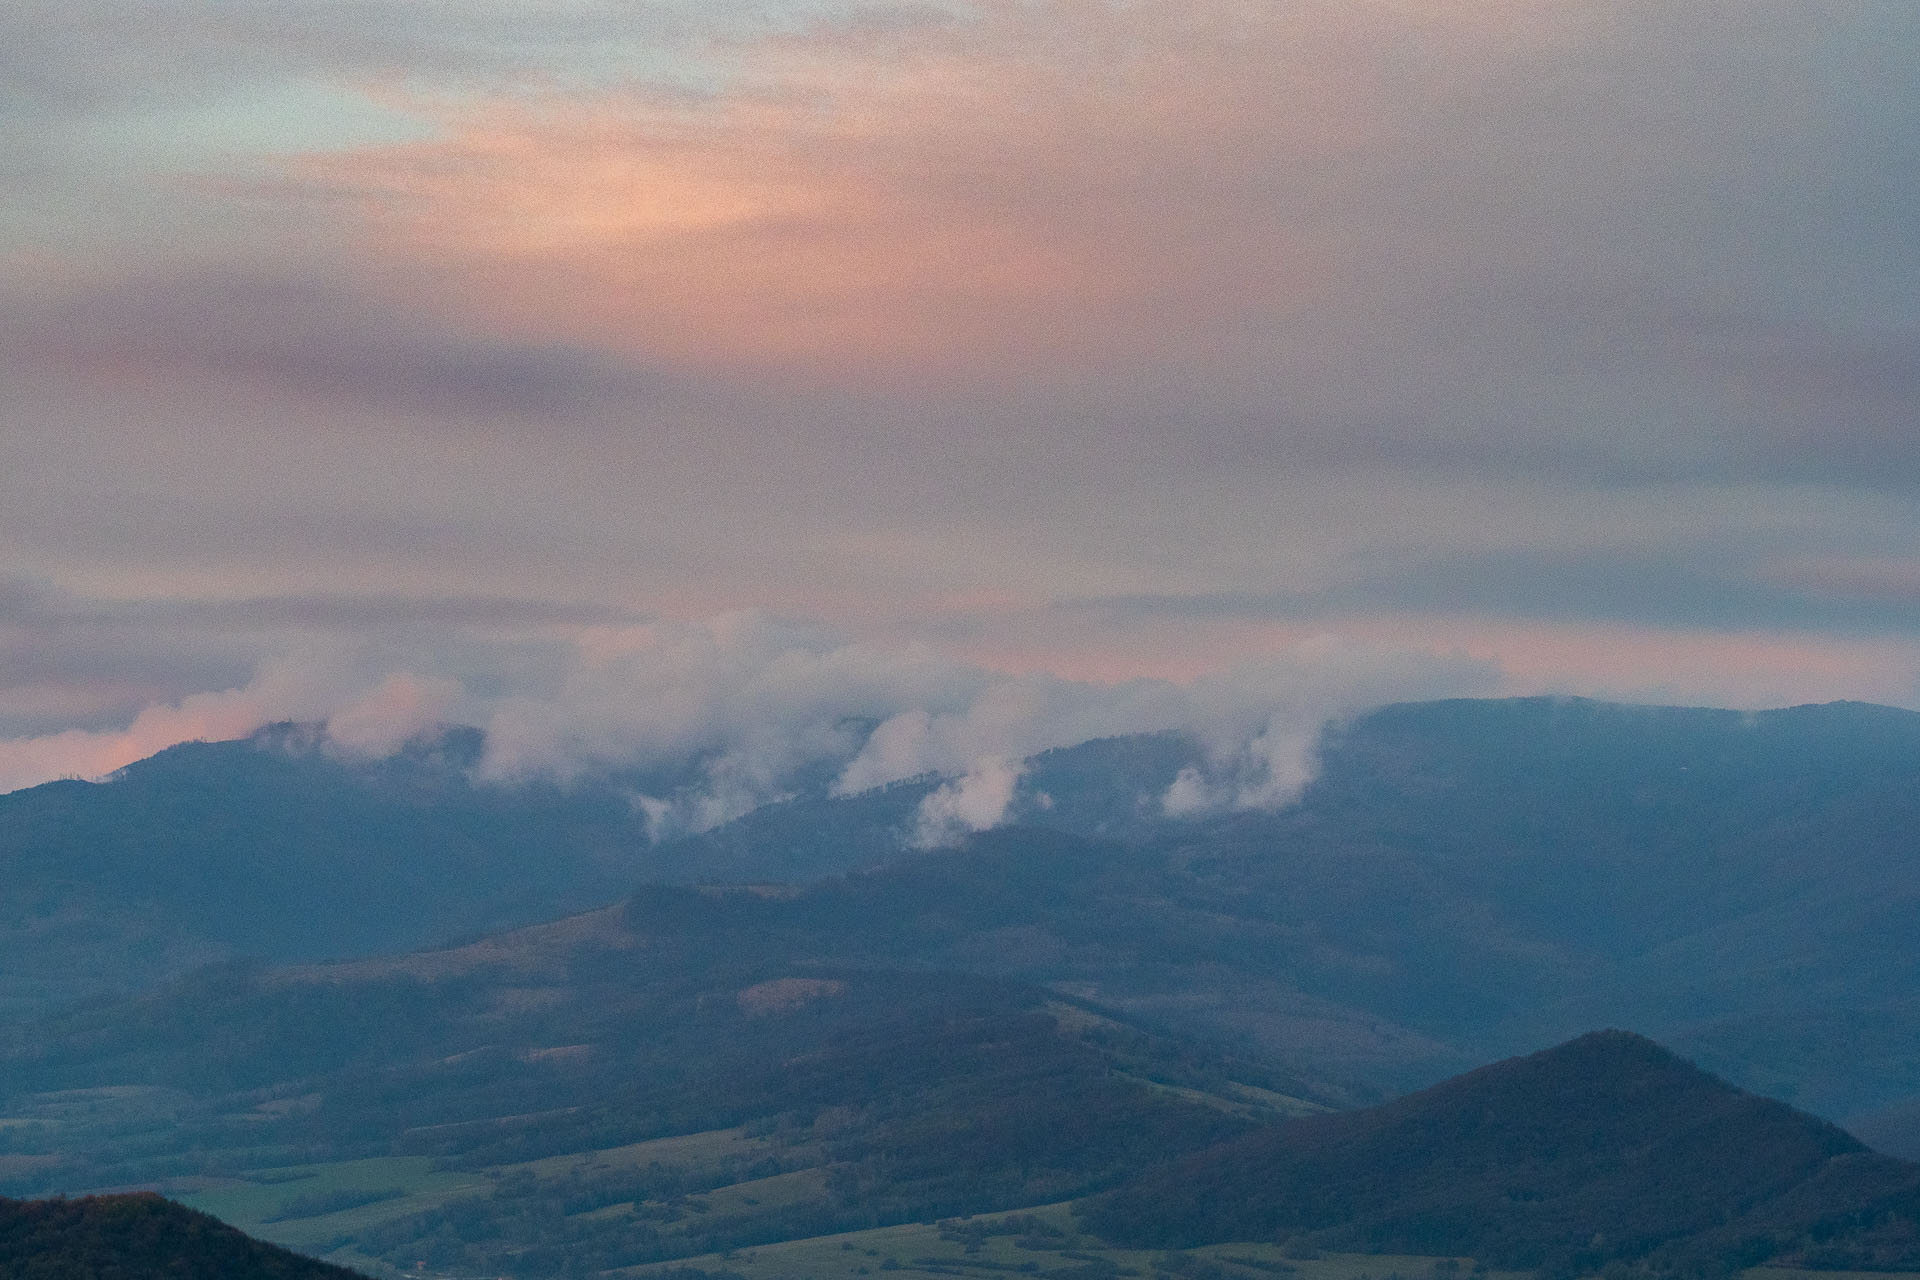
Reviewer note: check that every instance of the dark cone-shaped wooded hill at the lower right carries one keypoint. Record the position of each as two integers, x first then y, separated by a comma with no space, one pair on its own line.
1602,1150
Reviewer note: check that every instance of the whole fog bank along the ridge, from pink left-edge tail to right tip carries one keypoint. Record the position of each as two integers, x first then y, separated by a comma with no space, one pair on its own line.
761,703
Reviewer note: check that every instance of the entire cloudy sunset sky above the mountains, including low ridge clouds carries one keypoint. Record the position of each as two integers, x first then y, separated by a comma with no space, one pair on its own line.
654,377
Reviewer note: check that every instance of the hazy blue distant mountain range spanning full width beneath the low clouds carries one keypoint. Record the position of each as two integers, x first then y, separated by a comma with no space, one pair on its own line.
1462,882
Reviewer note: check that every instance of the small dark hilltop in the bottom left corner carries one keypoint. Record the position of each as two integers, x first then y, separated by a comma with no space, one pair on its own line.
137,1239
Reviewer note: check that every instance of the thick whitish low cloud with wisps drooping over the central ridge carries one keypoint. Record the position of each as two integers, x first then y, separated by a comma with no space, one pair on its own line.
761,703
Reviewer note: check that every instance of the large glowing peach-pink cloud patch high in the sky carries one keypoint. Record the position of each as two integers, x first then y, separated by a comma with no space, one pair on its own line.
1036,183
